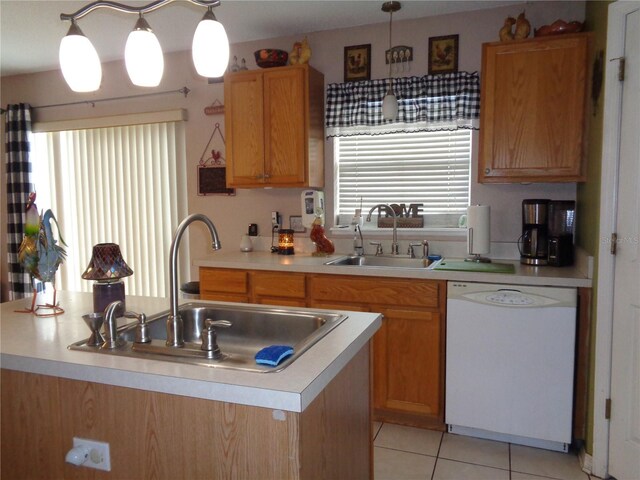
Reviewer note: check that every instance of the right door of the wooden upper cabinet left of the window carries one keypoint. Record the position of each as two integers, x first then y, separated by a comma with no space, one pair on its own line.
285,126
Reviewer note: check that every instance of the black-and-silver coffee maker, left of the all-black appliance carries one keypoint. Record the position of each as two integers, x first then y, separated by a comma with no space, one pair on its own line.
534,242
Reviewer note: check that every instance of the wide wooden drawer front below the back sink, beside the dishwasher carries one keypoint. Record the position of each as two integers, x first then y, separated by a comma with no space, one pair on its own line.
417,293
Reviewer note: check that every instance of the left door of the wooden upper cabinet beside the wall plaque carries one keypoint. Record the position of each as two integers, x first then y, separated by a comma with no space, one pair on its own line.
244,127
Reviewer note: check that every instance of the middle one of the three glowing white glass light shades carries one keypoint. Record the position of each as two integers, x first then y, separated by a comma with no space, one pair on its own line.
143,56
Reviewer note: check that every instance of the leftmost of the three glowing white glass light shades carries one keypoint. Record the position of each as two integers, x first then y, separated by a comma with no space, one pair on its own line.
79,61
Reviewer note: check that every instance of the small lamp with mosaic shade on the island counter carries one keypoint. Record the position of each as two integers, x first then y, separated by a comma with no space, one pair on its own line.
107,268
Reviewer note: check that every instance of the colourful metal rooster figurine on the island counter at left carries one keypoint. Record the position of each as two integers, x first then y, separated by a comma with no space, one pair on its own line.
40,254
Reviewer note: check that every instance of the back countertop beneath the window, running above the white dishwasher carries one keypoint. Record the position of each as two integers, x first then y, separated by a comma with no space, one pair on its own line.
572,276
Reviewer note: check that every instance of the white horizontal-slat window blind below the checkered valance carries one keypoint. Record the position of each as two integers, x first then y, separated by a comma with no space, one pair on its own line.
431,168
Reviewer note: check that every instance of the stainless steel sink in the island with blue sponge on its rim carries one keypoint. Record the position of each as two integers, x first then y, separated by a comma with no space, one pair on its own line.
253,327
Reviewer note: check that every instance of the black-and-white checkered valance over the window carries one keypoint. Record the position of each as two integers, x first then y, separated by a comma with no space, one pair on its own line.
432,102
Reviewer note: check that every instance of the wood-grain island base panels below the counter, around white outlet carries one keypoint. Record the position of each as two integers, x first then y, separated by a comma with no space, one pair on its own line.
161,436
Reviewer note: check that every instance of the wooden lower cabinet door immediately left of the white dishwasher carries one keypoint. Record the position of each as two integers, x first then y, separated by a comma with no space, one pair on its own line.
408,374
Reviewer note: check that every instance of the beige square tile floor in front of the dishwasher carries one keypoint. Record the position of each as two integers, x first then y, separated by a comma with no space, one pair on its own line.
407,453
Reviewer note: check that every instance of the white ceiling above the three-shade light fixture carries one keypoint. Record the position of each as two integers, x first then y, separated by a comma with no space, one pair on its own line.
31,30
